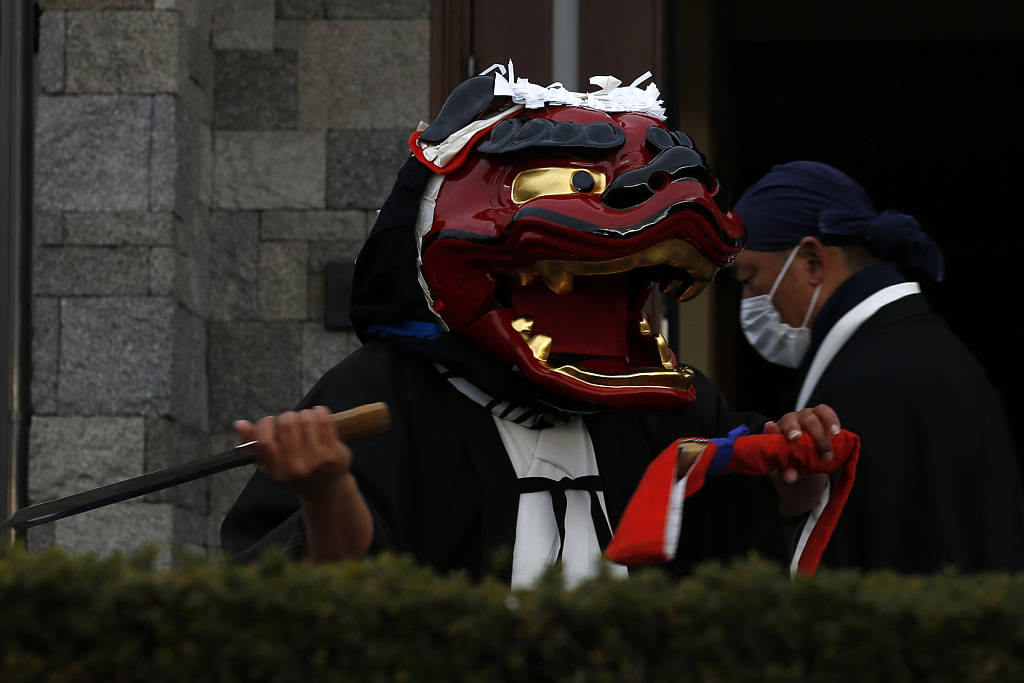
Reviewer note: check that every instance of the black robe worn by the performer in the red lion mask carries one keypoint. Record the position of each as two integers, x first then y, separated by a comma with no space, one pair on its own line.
441,487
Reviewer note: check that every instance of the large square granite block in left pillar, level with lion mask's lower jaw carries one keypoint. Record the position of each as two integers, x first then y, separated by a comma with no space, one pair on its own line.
116,356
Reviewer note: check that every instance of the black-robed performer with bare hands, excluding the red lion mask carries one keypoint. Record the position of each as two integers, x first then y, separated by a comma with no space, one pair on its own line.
440,484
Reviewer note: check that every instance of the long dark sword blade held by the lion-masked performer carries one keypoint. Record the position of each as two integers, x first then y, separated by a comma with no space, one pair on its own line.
134,488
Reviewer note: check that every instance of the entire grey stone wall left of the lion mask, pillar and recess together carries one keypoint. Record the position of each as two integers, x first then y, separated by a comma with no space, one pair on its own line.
198,163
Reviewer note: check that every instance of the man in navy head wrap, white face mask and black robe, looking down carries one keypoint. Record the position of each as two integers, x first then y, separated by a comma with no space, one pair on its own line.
829,286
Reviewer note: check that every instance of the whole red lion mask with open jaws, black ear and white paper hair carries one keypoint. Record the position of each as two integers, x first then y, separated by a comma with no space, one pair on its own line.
551,219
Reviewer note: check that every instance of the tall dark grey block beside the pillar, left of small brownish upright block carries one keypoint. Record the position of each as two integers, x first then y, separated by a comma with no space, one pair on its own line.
234,266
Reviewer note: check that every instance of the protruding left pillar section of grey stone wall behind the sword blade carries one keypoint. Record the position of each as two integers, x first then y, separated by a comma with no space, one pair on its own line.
120,273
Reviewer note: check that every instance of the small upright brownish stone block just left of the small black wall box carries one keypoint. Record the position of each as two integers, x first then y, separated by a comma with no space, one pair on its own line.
283,281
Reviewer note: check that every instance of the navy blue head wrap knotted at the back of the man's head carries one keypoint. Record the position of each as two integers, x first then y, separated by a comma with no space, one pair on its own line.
809,199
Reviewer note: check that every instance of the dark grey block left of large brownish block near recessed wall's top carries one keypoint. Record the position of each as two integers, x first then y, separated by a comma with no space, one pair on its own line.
255,91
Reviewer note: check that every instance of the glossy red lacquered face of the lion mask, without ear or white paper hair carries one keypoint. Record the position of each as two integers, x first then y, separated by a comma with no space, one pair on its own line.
579,265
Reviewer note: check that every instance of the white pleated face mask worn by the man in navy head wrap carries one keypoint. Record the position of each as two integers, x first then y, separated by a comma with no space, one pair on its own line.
774,339
